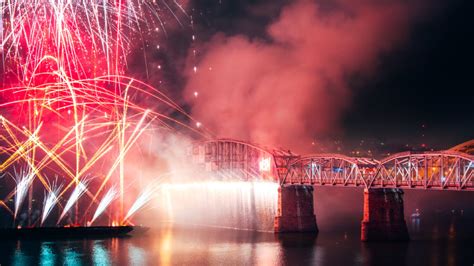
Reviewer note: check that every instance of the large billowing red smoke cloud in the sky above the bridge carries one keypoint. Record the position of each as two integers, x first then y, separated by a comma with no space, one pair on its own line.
292,87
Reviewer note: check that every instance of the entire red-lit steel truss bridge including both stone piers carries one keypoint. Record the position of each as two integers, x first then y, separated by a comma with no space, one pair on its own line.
383,180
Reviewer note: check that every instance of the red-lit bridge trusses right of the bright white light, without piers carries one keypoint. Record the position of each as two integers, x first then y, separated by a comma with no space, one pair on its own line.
445,170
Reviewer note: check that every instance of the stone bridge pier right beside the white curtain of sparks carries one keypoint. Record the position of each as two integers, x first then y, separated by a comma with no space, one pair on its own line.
295,210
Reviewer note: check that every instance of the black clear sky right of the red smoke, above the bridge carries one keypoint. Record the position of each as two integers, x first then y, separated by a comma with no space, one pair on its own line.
428,81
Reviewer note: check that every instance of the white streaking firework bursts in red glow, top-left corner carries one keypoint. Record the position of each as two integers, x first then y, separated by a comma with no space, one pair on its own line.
77,31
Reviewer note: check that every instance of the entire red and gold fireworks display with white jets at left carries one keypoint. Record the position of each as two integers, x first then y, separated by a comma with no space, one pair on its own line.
63,71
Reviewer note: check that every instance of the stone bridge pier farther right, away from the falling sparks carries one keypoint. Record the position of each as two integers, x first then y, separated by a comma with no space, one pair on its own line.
383,215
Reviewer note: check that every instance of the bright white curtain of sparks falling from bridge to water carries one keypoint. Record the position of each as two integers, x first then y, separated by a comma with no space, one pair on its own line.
231,204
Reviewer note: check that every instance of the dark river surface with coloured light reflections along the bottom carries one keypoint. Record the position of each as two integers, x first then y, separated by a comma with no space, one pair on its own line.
204,246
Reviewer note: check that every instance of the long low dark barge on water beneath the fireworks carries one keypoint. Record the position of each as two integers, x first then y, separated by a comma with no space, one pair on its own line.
66,232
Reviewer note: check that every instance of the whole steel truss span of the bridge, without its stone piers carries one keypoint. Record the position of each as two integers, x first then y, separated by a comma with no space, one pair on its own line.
442,170
